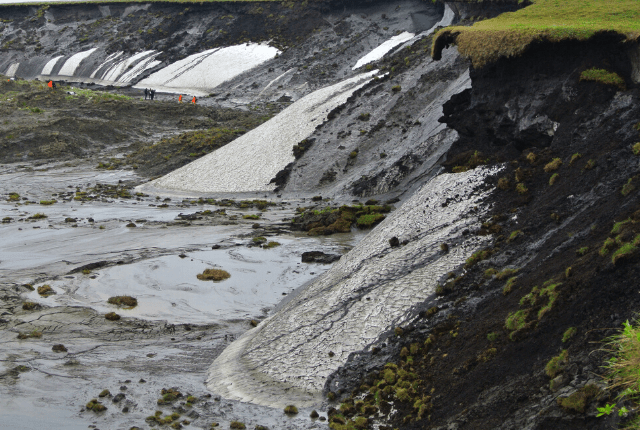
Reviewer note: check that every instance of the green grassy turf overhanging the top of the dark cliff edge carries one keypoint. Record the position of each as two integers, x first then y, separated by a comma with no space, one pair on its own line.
509,34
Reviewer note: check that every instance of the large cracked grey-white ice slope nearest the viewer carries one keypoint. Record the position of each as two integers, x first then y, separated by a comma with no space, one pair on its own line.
287,359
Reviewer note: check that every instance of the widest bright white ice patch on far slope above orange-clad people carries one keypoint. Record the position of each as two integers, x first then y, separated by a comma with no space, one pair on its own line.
199,73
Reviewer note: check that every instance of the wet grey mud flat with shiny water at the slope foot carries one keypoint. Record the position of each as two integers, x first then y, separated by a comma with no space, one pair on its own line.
85,233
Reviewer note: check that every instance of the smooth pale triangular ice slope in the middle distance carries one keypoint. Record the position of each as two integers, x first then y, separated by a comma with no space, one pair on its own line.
251,161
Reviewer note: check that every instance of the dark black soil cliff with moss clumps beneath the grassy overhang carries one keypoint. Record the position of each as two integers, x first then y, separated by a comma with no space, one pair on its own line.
477,355
